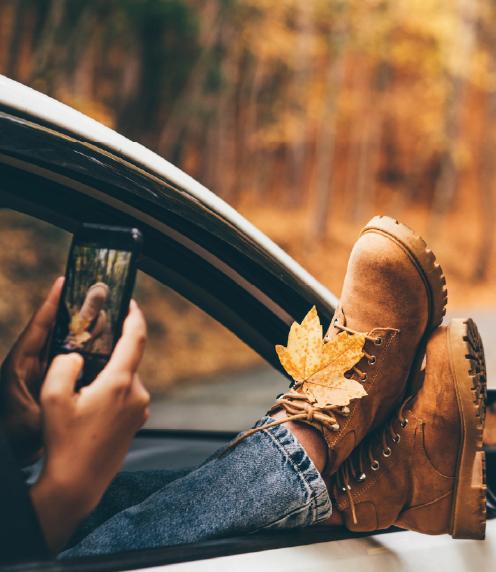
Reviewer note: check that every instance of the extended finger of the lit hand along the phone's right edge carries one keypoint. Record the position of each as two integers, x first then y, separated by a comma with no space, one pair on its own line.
129,349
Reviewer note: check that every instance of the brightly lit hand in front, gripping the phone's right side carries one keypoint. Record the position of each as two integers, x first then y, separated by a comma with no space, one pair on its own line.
87,434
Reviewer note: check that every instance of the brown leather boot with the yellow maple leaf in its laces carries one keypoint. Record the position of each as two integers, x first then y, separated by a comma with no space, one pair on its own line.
394,292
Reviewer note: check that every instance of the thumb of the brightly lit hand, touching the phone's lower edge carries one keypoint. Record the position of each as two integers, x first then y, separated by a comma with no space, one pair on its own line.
61,378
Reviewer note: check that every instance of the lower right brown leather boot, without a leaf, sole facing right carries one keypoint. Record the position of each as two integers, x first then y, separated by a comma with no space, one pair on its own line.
425,470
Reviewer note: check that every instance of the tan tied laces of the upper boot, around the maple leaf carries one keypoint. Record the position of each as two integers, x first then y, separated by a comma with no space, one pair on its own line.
297,404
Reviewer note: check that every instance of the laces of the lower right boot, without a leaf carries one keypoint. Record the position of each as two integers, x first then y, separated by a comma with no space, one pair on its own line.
366,457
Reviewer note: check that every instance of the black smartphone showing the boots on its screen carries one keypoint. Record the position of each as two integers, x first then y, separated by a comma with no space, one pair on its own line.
99,282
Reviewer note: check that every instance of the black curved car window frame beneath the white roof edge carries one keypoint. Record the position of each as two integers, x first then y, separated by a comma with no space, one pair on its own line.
268,292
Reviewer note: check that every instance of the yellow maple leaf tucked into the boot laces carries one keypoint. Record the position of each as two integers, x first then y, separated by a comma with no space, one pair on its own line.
321,366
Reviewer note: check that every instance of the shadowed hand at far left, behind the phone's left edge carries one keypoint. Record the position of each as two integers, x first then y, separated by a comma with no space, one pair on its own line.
21,375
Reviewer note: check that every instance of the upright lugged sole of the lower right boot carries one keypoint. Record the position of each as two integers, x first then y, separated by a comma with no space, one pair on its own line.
466,353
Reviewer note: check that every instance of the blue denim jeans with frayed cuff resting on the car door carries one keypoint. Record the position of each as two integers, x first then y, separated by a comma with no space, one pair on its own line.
267,481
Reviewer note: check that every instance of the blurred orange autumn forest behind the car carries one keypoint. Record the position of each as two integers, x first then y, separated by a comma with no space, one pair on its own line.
309,116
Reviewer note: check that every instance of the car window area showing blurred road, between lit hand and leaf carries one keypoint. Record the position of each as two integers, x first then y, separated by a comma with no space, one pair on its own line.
200,374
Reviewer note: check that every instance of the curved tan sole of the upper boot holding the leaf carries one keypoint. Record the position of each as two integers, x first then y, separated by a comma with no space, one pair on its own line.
431,273
